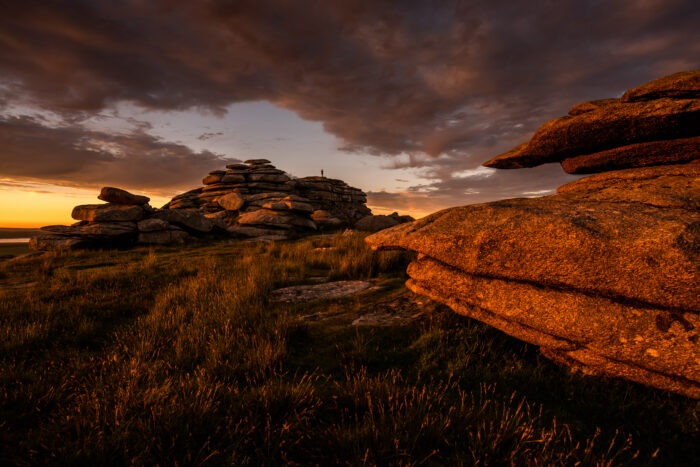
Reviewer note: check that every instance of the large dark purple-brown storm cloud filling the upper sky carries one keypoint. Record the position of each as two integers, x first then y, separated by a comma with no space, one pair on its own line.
465,79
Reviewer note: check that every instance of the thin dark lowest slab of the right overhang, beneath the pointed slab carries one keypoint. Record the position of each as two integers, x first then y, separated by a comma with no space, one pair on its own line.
666,152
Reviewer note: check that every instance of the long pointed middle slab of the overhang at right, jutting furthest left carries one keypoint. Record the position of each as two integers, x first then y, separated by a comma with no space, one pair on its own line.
617,124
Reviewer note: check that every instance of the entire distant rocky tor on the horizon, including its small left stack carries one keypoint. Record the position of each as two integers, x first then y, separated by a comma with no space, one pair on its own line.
251,199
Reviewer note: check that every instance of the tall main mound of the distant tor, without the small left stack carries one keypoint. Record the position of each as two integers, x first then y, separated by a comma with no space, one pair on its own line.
256,199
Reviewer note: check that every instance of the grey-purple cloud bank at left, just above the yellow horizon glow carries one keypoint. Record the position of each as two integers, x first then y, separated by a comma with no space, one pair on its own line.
33,151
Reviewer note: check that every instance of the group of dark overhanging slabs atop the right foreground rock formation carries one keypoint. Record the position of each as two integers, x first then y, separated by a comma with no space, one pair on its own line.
656,123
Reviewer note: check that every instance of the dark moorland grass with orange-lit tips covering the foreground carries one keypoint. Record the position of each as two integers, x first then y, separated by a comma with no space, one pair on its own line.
176,356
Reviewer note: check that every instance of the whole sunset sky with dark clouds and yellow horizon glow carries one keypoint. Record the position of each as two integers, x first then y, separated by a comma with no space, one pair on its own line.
404,99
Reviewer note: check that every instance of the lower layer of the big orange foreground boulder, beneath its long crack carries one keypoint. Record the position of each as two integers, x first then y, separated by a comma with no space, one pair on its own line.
649,345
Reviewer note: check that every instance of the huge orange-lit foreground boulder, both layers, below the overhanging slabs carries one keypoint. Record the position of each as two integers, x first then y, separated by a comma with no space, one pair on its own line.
603,275
